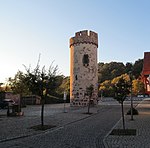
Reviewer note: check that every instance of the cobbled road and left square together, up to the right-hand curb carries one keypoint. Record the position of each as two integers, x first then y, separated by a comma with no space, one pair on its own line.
74,129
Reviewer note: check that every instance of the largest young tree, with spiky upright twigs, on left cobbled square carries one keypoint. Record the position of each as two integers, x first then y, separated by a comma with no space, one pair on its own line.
42,82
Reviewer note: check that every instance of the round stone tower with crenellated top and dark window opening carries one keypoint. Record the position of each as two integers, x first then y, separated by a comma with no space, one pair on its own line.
83,67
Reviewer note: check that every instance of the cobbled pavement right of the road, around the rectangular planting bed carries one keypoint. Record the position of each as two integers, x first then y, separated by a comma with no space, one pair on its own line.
141,123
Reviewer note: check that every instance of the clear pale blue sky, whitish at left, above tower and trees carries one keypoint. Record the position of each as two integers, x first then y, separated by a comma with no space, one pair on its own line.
29,28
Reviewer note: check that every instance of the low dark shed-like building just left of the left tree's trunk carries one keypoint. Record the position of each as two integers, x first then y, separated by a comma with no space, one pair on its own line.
31,100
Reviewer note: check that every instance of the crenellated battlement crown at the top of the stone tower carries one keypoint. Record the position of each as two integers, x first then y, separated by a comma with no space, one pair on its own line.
85,36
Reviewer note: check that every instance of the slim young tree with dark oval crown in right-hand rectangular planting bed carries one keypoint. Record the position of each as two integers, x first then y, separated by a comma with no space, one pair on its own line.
121,90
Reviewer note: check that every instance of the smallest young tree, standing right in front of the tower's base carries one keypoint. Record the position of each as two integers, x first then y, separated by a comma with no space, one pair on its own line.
89,92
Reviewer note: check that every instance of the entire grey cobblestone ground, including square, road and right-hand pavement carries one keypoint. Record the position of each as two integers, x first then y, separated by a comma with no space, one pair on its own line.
75,129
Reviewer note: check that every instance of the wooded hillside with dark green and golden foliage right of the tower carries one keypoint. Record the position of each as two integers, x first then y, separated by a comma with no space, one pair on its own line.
110,73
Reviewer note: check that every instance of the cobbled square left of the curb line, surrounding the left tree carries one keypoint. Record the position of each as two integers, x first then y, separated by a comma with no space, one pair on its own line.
15,127
